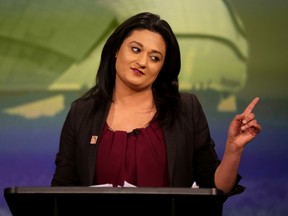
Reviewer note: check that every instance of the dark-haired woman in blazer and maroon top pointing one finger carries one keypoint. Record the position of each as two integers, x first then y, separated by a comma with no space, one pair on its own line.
135,126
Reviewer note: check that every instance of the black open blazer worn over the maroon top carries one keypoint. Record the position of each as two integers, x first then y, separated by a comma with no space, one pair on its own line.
190,150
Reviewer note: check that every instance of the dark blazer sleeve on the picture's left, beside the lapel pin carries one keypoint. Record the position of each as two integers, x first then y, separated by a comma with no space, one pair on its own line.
73,161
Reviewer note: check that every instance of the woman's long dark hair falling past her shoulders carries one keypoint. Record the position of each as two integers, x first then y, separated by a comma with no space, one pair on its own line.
165,88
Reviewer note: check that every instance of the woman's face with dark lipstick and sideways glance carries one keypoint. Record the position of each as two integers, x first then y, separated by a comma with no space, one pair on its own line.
139,60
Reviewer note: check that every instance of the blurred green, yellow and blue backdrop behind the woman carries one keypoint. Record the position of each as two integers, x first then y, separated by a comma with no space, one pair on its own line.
232,51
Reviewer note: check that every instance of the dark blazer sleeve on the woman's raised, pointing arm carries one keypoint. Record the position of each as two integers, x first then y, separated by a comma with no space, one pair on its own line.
205,158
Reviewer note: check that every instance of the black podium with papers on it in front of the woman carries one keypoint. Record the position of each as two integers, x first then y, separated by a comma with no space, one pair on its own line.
82,201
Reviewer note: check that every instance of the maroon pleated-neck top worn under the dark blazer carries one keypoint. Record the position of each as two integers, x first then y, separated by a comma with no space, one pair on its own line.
137,157
